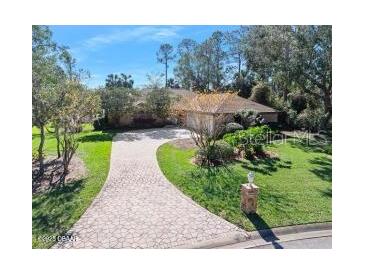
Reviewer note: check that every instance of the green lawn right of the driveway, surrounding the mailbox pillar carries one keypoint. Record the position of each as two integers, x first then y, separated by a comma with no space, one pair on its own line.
294,189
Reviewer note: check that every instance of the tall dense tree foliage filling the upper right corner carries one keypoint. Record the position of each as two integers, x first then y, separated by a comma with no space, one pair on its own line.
291,58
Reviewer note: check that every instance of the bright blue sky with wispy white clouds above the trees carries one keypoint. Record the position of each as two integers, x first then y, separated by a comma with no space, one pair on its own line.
124,49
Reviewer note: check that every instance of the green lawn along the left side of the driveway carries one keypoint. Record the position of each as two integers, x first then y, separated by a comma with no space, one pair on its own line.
54,212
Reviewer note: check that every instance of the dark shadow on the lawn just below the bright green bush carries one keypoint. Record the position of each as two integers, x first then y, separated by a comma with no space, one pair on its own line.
266,166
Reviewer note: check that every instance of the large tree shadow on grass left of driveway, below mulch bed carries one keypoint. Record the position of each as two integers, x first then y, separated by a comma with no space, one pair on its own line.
52,210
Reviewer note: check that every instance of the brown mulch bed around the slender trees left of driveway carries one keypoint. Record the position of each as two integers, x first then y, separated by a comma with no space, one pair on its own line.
53,172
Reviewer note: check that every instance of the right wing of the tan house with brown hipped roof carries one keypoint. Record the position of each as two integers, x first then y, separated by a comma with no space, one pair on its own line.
206,109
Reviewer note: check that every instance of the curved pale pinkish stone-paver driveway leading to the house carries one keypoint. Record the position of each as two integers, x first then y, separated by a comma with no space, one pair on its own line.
138,207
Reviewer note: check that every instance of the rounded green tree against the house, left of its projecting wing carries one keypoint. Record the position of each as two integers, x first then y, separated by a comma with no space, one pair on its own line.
158,102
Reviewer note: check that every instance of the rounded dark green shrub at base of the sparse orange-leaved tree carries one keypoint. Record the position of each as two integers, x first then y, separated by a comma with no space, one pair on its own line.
215,154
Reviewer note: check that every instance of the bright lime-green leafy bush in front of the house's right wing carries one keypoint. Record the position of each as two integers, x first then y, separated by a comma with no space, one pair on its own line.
251,141
